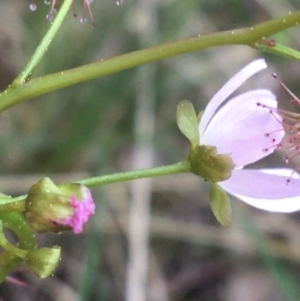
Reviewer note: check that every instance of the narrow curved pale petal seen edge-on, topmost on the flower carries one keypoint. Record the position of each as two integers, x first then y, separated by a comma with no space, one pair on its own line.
236,81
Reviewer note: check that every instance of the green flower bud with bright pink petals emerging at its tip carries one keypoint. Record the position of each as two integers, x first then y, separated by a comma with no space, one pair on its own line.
55,208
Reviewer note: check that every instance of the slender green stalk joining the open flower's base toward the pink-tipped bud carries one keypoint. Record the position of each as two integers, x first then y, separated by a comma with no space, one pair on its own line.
180,167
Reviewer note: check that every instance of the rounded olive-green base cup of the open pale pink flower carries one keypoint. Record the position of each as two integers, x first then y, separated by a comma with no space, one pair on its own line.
208,164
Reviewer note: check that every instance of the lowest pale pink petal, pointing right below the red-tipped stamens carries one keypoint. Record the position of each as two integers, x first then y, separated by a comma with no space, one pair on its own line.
265,189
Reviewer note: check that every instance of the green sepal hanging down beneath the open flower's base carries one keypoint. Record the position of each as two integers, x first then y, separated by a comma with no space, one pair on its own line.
220,205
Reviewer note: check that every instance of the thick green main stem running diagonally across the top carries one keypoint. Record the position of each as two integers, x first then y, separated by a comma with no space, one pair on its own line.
247,36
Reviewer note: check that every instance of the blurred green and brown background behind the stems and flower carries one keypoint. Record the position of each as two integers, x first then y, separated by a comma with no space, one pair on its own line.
125,121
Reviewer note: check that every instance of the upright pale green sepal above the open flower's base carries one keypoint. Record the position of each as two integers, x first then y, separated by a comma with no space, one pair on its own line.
187,121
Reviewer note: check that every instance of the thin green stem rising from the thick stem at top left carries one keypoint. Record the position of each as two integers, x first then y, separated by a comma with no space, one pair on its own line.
43,46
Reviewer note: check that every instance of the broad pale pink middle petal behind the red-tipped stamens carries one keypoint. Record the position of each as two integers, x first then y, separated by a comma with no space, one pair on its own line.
239,128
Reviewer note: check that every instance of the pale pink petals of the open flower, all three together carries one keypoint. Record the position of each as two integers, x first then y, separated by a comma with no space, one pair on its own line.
249,133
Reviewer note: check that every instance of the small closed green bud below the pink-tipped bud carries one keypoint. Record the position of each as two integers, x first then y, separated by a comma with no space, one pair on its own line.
44,261
